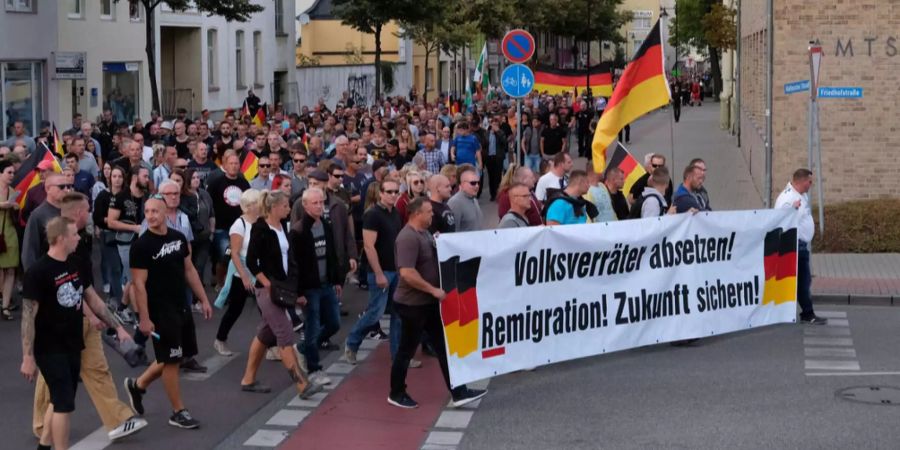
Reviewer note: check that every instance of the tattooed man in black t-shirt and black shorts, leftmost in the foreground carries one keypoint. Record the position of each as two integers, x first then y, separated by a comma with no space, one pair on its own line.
52,322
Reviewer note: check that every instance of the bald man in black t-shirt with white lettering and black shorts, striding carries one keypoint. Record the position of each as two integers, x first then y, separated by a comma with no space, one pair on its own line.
162,269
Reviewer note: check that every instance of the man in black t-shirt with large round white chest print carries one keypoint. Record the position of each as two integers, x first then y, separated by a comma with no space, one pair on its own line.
225,191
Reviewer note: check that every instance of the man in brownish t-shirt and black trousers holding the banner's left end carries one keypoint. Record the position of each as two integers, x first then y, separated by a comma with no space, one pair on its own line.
416,301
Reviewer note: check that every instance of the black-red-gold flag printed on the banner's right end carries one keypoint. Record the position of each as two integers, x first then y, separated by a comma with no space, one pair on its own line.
780,266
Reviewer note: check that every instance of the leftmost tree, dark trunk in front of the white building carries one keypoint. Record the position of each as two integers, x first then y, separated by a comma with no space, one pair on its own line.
231,10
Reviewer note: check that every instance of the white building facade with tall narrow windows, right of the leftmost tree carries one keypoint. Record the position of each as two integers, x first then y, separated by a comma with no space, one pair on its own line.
227,94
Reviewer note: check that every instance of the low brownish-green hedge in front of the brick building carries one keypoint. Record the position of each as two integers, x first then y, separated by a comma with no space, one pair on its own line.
863,226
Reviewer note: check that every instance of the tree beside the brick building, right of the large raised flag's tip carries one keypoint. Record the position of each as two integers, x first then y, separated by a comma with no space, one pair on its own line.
709,27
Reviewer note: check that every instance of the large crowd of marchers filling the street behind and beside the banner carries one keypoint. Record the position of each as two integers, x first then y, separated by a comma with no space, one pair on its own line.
352,195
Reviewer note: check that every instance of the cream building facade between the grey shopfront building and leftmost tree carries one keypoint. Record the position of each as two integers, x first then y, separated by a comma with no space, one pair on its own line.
113,40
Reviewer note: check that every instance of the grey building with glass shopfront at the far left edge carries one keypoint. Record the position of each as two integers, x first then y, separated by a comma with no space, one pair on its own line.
28,91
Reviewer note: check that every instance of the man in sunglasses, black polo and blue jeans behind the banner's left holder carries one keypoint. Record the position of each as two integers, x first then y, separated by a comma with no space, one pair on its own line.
381,224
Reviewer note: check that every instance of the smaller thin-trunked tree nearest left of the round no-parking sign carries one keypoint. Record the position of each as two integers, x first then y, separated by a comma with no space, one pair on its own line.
443,28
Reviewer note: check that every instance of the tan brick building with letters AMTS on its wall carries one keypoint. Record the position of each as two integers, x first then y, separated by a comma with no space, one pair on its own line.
858,135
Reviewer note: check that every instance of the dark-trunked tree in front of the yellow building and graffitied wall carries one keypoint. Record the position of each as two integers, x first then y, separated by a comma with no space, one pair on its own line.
370,16
